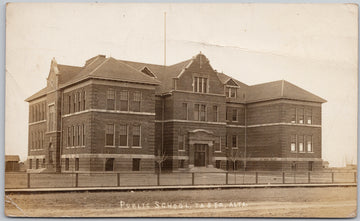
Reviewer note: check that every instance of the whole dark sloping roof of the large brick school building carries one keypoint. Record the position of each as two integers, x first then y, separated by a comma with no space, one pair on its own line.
109,68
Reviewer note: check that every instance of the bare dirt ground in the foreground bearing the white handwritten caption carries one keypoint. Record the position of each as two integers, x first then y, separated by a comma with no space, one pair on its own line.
264,202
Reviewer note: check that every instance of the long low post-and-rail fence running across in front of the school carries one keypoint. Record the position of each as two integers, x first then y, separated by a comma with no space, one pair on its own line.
128,179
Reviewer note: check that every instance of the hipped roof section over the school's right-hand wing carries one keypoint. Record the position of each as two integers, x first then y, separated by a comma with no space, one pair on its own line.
280,89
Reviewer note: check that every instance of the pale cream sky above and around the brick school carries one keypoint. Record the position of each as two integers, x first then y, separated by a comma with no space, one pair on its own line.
313,46
